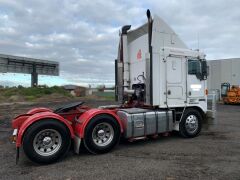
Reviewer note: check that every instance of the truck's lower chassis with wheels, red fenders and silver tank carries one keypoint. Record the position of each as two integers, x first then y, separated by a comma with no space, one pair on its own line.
46,135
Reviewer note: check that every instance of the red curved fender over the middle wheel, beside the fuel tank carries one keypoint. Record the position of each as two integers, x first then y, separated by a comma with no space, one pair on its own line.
88,115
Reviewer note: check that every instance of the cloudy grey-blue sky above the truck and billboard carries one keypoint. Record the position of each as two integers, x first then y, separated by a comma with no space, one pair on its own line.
83,35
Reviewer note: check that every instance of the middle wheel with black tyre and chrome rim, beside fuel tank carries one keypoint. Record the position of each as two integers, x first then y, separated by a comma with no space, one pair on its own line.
102,134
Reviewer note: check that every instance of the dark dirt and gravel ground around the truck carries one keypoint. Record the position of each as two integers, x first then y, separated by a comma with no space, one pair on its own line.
215,154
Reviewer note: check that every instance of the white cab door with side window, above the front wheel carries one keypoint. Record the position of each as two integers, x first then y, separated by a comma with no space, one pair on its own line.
195,86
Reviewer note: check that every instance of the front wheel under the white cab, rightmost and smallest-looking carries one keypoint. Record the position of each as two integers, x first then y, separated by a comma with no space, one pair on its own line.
191,123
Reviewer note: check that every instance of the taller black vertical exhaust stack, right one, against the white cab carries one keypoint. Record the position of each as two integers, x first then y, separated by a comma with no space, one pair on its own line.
149,85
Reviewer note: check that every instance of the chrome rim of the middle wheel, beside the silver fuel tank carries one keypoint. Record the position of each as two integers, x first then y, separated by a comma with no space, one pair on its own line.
102,134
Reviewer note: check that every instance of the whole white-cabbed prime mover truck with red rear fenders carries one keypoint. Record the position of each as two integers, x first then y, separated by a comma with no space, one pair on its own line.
160,86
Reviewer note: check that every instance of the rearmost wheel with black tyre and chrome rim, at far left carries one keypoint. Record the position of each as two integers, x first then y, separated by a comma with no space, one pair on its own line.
46,141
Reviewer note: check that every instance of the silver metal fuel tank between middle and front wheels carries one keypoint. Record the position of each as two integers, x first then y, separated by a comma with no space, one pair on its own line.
140,122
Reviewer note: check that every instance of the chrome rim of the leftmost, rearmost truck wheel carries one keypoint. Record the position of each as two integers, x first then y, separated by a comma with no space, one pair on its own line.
47,142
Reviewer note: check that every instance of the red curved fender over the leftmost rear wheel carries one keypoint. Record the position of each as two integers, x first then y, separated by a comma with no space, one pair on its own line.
37,117
